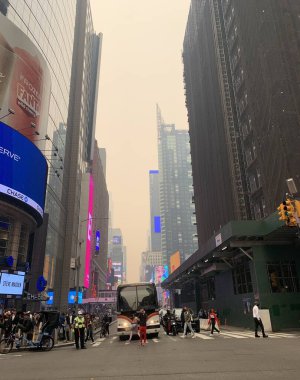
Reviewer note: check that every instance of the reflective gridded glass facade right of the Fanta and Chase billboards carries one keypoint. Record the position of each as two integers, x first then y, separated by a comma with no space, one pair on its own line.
50,26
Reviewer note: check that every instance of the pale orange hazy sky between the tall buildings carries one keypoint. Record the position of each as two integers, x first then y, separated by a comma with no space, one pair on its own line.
141,65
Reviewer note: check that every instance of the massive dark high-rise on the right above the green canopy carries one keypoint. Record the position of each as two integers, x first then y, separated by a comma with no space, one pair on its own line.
243,108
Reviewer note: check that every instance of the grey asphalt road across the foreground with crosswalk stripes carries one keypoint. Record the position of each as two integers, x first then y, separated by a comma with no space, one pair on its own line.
232,355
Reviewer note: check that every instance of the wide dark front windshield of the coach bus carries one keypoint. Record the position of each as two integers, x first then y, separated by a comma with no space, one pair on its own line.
133,298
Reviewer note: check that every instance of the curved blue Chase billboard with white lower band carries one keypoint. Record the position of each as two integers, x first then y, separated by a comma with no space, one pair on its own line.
23,173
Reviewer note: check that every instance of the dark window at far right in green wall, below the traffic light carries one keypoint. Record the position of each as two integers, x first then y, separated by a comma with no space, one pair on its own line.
283,277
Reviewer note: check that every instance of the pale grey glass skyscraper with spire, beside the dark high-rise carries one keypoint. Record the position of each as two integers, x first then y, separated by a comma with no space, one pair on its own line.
176,191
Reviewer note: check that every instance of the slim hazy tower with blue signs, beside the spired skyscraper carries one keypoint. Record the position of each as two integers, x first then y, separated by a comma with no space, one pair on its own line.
155,218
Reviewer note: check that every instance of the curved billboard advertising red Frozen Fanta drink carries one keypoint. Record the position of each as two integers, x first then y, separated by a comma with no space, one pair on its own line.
25,82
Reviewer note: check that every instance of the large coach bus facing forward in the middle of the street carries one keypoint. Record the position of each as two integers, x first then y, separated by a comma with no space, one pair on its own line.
131,298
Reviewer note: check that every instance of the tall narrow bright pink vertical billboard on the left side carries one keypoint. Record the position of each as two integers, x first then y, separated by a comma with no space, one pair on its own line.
89,234
